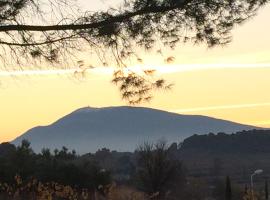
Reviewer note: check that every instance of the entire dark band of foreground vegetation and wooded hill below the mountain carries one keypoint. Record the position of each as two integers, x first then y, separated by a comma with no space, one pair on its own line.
202,167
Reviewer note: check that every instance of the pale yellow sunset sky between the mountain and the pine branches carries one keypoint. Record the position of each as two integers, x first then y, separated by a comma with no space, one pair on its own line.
229,82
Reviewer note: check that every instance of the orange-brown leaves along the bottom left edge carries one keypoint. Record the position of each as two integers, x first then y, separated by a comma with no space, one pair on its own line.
36,190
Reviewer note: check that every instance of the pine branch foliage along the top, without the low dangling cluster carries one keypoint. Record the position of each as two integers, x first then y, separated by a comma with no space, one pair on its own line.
204,21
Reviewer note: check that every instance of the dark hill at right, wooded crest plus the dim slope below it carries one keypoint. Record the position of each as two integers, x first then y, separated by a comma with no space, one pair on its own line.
223,154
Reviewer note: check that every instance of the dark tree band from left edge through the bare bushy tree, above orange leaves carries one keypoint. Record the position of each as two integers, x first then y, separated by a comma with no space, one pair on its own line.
151,170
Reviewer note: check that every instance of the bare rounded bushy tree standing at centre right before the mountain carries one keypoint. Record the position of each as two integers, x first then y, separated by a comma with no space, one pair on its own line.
158,172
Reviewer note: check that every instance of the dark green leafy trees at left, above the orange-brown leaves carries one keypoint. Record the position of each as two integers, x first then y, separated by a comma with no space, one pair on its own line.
61,167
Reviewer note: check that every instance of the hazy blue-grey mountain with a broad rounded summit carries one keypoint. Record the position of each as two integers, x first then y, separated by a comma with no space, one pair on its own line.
122,129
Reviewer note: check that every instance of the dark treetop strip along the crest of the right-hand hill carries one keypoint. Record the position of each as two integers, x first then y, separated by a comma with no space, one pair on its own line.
253,141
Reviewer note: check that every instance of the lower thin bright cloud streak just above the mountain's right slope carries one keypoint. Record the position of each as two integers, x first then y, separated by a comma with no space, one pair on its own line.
222,107
